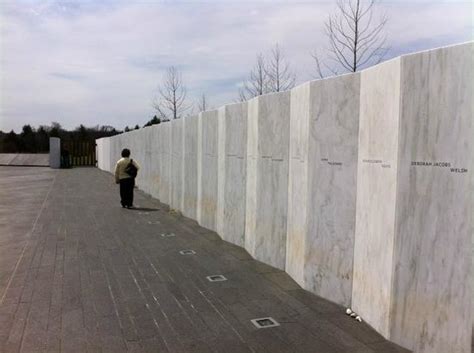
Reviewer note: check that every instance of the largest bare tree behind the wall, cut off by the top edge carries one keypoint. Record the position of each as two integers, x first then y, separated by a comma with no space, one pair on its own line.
355,38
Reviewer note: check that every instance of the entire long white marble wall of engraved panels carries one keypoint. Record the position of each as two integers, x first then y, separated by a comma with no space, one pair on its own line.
409,274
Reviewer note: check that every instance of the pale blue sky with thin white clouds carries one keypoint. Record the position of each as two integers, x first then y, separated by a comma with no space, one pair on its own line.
101,62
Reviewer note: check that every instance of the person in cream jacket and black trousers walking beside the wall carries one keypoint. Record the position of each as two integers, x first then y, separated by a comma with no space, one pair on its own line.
125,173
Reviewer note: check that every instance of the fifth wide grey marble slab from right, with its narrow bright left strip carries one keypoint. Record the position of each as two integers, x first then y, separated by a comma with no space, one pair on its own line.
207,169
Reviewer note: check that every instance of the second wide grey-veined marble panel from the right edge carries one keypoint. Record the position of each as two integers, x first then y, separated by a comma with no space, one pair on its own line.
332,180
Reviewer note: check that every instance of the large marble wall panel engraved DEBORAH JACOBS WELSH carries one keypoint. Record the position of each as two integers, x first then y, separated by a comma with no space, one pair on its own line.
431,291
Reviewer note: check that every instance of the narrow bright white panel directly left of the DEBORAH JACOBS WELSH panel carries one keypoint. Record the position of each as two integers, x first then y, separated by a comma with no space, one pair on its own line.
376,194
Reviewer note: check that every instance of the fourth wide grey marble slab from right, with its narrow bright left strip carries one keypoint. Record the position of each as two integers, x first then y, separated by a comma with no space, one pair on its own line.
232,165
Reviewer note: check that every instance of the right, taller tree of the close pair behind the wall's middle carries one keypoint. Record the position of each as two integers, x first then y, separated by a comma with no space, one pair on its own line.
280,76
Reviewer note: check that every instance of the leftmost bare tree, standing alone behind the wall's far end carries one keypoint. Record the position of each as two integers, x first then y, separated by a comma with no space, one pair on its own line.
171,101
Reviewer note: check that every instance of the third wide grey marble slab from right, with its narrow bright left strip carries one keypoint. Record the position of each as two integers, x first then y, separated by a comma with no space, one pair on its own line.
267,178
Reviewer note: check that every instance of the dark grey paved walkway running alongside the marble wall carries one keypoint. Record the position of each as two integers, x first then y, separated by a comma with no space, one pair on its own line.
80,274
